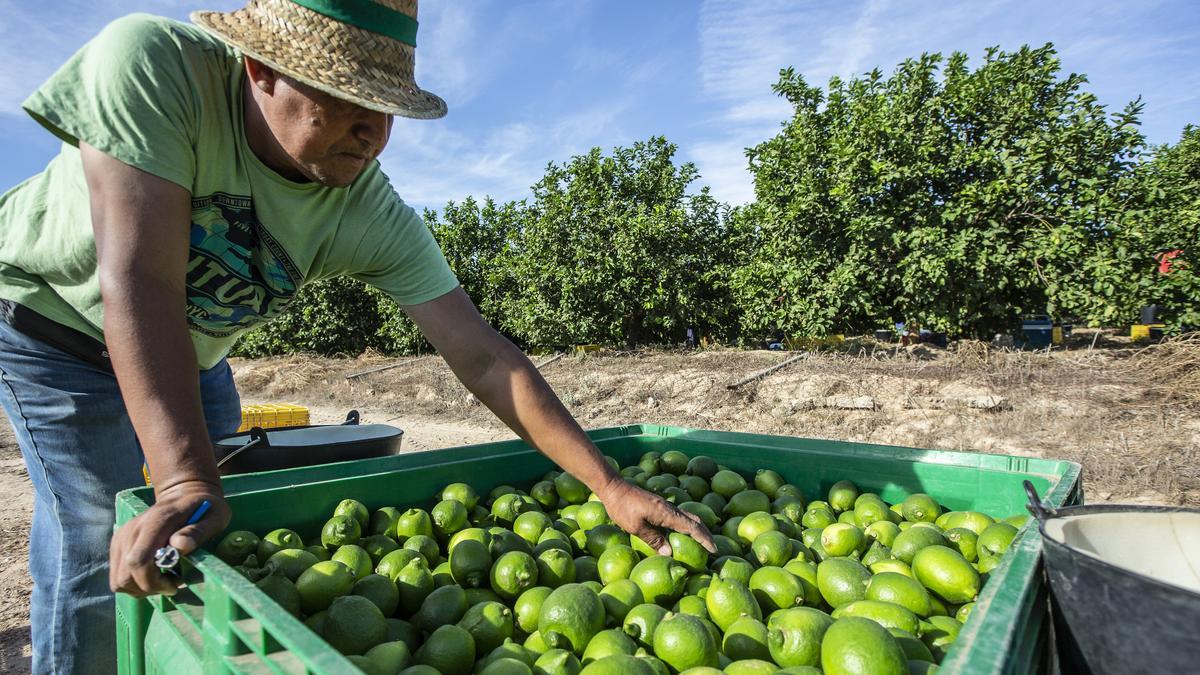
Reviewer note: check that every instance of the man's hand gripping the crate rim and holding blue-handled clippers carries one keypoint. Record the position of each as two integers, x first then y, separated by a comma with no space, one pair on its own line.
131,558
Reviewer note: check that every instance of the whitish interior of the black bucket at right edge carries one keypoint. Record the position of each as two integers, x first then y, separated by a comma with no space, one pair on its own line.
1161,546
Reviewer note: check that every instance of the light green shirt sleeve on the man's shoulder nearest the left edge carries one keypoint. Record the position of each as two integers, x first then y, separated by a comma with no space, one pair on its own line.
128,94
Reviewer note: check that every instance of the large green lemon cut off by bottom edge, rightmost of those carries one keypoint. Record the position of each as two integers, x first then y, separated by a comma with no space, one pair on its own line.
861,647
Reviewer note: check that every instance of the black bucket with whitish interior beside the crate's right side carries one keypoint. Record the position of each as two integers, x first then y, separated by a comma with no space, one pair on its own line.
1125,587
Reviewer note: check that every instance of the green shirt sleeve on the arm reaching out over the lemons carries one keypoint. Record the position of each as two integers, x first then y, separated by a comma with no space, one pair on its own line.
400,256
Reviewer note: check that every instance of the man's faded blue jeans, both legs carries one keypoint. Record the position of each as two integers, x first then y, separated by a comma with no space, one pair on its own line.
80,450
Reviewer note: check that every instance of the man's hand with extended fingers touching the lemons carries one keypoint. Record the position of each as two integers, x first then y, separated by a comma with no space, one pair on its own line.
651,518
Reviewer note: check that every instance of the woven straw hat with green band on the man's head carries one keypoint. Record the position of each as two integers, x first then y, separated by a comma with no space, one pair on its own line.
359,51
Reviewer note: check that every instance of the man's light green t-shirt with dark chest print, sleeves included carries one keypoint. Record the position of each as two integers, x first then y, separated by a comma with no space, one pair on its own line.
167,98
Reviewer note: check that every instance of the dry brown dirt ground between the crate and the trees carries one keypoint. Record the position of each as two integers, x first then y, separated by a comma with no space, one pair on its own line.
1130,416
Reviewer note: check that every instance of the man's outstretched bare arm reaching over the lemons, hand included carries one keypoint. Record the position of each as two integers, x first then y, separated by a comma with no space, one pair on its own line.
505,380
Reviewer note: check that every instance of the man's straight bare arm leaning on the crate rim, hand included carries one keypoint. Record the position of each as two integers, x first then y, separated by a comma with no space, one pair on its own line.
142,225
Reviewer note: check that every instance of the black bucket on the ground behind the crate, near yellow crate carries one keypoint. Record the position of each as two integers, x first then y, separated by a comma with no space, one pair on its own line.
290,447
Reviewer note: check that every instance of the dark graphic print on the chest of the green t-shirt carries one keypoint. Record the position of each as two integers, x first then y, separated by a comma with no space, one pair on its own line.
238,276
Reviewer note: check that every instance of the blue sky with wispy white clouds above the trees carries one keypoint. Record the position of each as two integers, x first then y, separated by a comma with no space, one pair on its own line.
535,82
